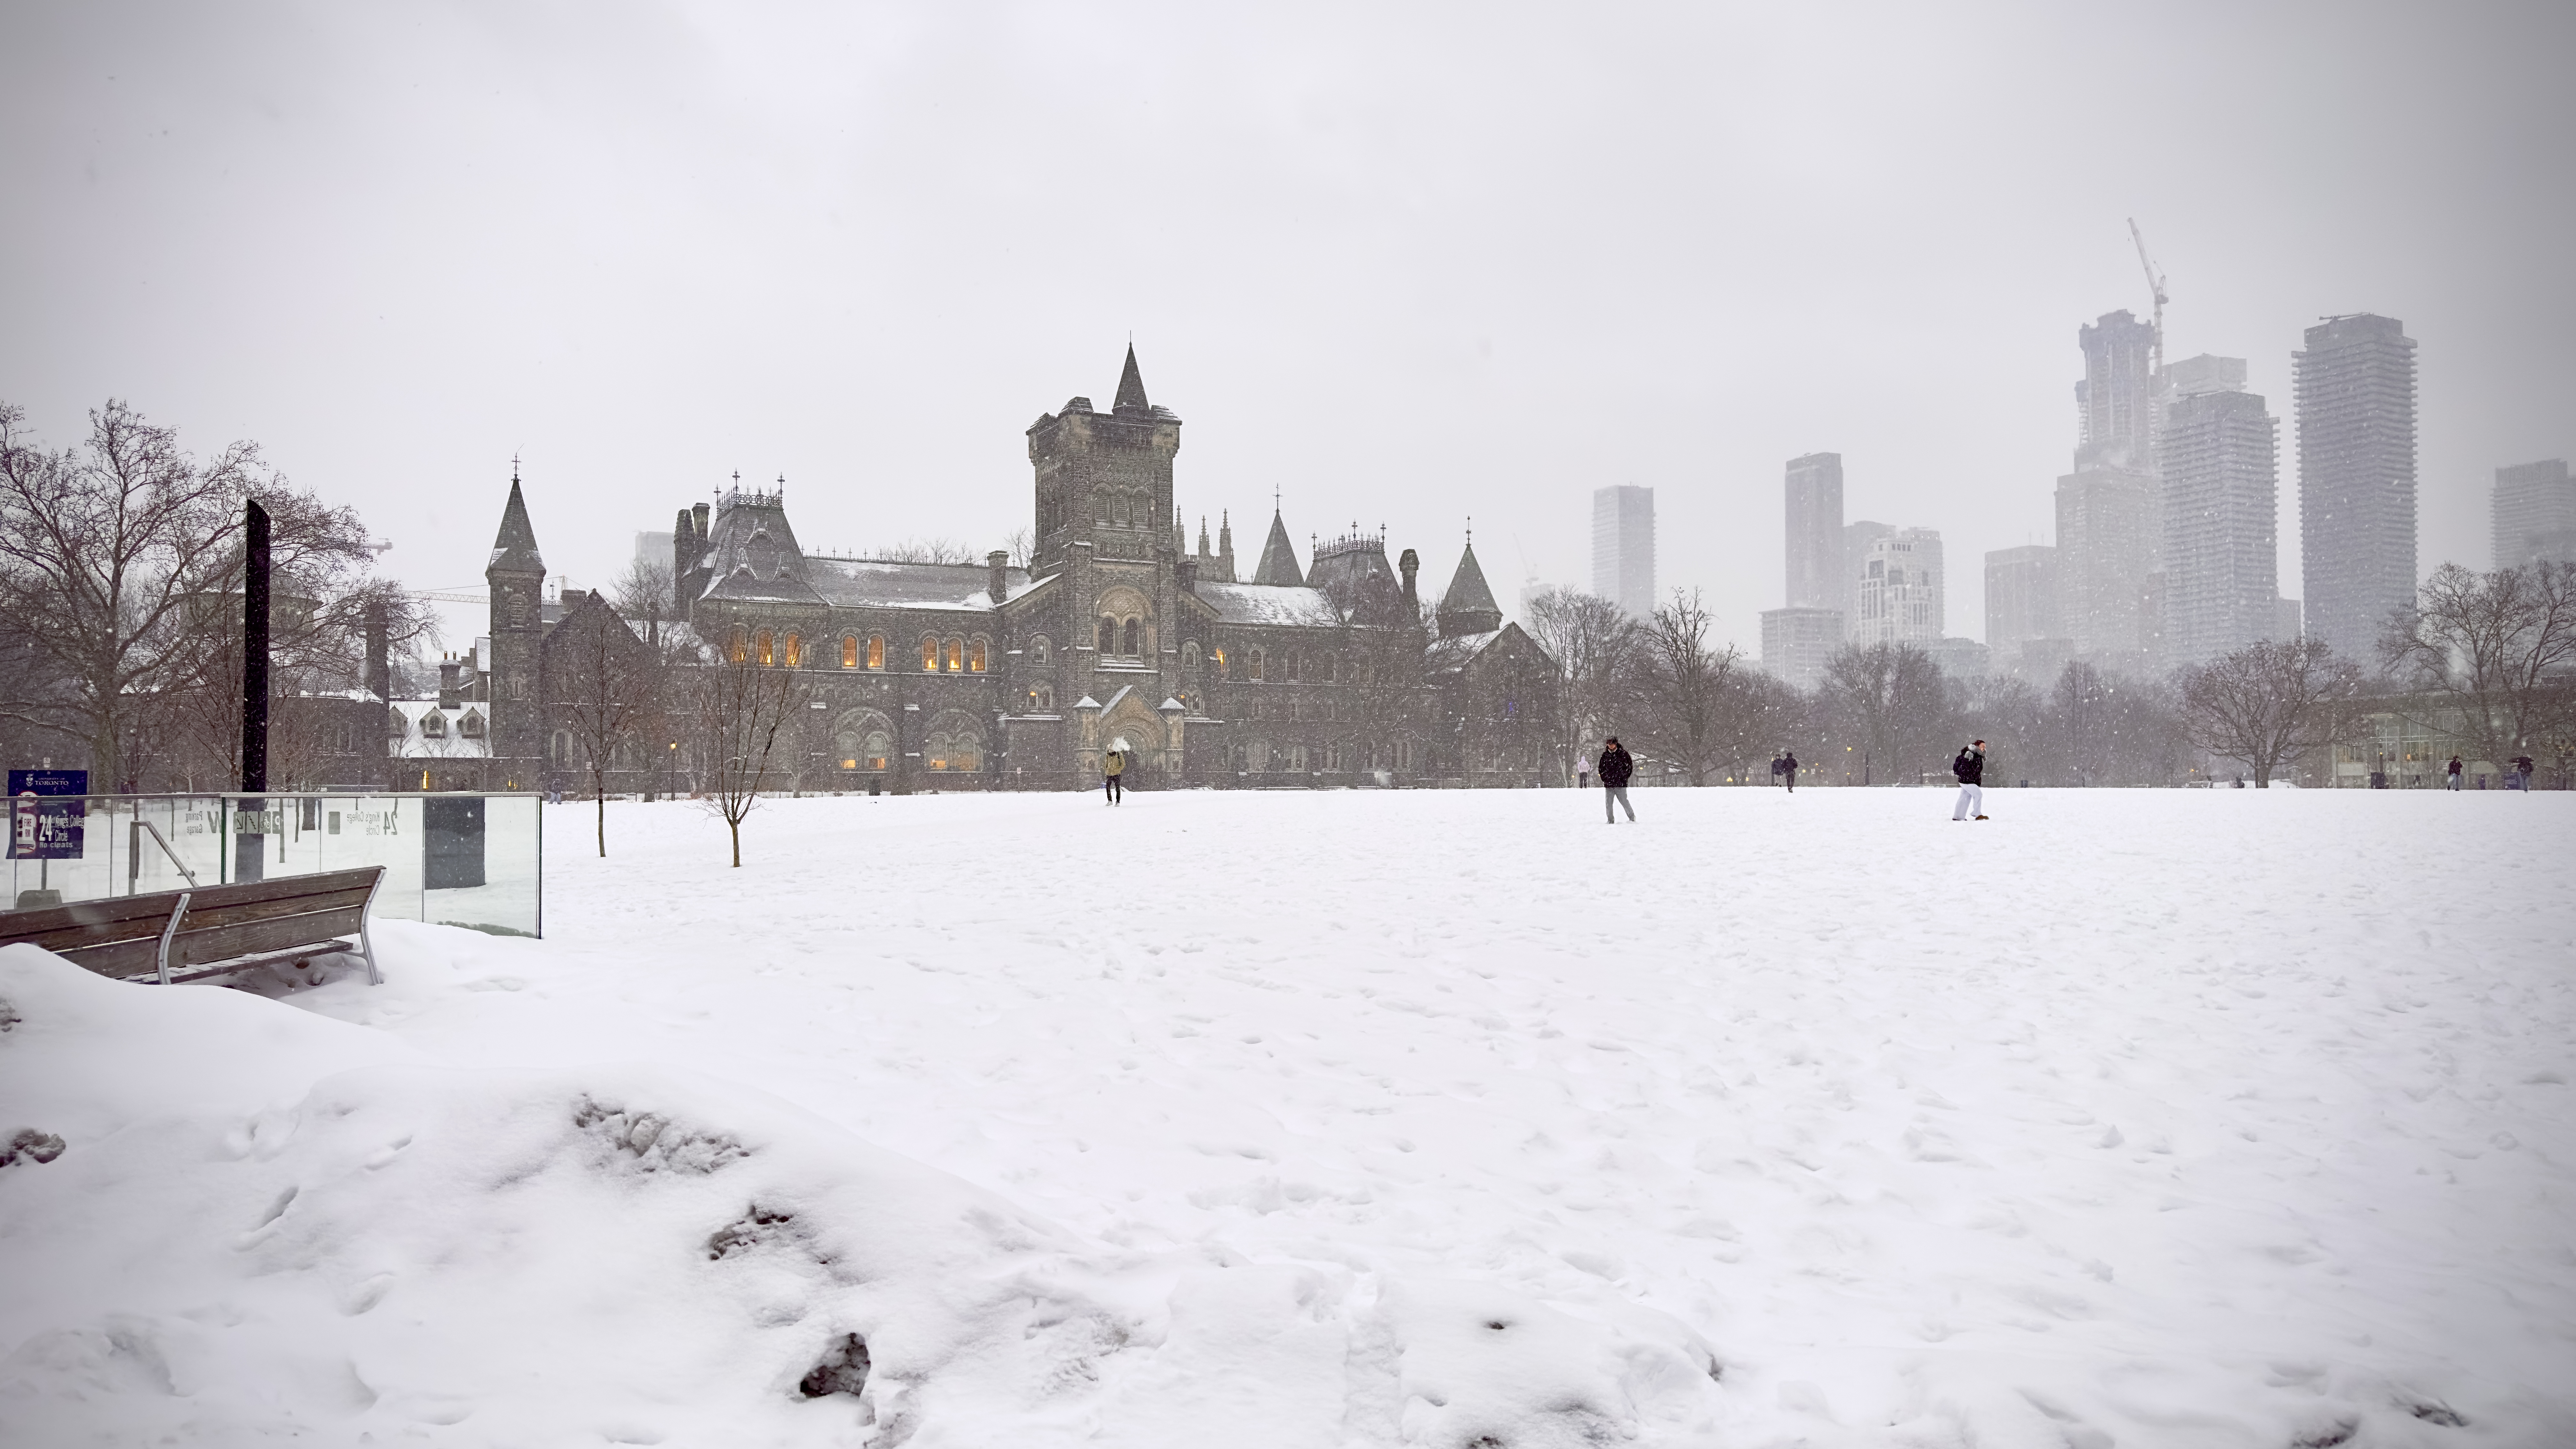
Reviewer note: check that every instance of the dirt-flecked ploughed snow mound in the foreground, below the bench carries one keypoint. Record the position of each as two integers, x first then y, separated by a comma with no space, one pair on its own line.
256,1226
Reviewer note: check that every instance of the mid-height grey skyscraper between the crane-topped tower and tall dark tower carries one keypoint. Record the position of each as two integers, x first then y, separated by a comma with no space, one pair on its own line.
2222,548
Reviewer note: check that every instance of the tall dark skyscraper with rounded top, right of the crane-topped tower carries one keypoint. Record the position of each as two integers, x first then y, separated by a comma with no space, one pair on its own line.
2356,391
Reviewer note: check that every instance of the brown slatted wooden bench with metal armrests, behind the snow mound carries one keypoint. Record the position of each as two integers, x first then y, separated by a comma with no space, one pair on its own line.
192,935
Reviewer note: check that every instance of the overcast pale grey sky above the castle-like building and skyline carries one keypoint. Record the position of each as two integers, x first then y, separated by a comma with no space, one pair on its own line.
1397,264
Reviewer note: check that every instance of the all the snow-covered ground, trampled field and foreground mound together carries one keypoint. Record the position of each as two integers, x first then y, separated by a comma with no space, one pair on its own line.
1333,1120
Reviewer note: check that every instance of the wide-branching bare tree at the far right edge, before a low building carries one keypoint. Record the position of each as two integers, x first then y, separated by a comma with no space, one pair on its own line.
2495,648
